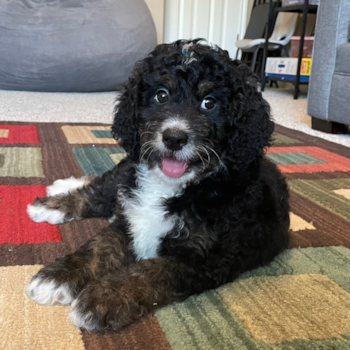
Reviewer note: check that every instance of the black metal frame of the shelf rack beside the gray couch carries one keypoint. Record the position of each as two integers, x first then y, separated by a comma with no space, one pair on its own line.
305,9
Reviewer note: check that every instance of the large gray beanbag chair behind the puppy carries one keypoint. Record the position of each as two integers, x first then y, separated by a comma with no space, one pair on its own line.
72,45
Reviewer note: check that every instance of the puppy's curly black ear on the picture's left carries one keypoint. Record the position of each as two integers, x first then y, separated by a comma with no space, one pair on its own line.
125,126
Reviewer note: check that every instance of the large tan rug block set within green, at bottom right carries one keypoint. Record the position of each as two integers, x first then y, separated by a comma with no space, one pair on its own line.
286,307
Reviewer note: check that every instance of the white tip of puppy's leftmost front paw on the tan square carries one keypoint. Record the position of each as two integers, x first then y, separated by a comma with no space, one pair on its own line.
47,292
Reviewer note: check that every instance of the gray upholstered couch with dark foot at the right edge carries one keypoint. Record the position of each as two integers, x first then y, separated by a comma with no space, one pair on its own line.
329,88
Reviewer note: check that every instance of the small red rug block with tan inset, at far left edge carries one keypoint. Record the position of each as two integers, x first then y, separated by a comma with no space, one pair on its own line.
18,134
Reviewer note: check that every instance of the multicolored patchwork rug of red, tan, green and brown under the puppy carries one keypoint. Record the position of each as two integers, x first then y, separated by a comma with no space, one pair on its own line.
300,301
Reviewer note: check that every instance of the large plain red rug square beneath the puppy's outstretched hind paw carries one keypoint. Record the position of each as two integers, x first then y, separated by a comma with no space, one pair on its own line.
15,225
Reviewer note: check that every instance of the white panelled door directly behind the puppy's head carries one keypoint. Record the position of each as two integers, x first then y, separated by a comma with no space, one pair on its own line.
221,22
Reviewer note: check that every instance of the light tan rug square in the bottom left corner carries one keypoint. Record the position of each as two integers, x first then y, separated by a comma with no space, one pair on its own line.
27,325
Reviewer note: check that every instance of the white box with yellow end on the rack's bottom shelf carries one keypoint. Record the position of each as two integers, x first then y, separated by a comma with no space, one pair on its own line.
287,66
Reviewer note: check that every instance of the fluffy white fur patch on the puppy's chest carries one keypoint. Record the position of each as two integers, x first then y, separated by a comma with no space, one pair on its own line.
146,214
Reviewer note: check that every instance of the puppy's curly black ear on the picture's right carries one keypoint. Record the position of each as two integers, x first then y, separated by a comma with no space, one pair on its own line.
251,126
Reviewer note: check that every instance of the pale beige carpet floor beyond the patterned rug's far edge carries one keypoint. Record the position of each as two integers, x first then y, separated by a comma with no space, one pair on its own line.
98,107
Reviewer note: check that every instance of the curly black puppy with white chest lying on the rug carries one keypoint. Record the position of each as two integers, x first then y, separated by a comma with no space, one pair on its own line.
194,204
